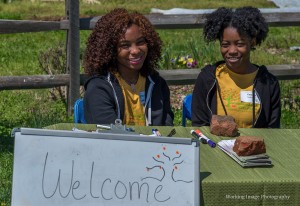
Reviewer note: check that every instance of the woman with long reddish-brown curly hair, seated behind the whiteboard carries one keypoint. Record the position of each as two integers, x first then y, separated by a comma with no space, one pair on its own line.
121,56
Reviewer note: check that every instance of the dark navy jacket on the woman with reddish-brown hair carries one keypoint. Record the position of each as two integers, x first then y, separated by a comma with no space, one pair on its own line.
104,100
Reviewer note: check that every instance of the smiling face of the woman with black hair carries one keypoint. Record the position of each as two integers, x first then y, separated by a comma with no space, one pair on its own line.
235,50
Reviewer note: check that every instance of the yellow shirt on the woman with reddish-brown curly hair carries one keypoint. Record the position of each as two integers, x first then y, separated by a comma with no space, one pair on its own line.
134,99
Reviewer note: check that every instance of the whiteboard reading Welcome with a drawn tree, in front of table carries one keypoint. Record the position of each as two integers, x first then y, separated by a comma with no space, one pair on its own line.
54,167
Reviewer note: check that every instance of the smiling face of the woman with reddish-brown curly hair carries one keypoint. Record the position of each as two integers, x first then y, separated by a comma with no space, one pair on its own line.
132,50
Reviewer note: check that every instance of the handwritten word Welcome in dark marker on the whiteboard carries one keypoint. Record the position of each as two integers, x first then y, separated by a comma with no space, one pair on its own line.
108,190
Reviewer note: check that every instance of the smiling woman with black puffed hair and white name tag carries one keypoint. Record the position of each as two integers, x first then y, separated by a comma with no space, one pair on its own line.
235,86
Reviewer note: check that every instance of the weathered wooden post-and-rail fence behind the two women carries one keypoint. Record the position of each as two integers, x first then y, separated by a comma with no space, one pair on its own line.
73,24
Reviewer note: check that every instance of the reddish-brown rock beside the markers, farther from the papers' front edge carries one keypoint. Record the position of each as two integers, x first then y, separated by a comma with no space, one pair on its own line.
223,126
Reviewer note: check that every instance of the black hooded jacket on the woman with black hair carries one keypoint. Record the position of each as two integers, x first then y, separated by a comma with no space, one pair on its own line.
266,85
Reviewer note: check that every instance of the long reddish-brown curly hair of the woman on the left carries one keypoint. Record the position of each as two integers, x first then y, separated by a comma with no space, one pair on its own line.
101,52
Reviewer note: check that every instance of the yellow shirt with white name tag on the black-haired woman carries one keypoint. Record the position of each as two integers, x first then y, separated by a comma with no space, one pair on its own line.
236,93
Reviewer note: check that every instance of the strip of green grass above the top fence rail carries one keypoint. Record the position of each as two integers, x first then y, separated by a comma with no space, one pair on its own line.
39,9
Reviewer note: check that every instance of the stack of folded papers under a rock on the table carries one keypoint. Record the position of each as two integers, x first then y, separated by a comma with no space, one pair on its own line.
245,161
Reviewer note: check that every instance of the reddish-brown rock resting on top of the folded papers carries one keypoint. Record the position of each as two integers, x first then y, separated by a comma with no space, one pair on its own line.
249,145
